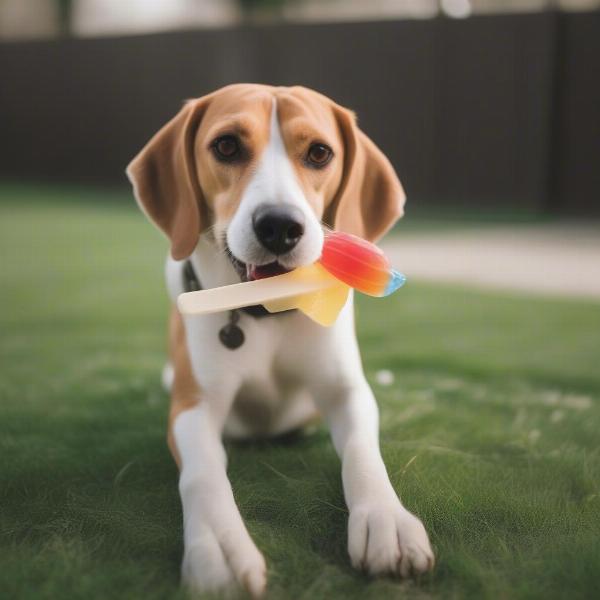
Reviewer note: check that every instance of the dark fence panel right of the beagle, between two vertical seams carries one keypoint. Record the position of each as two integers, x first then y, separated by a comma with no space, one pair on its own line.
493,112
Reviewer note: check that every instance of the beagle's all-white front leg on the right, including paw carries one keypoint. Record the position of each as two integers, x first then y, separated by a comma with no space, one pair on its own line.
383,536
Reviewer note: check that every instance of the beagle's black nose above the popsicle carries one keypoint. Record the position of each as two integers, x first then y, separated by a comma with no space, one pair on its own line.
278,228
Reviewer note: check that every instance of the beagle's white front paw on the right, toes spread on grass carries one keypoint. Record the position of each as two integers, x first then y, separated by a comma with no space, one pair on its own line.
387,539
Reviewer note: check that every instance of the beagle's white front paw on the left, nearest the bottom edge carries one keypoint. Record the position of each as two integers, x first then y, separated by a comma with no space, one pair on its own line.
223,564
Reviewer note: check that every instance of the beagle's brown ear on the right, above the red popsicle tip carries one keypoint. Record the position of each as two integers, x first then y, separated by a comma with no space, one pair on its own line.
370,198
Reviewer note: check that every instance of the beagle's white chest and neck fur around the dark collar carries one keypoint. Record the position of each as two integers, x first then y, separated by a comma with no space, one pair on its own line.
274,375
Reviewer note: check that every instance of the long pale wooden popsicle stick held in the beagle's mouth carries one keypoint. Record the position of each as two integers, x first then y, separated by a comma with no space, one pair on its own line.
300,281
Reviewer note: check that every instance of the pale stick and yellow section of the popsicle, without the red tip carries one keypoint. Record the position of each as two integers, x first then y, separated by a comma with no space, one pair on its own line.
310,289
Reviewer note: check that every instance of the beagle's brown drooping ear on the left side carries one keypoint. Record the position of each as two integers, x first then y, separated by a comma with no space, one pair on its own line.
165,180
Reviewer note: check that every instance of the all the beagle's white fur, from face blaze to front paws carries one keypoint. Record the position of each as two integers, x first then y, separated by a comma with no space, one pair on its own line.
286,369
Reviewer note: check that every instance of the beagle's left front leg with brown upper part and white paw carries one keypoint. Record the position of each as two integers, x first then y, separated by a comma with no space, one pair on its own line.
218,550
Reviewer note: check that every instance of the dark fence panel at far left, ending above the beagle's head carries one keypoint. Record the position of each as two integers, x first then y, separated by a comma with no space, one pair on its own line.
79,109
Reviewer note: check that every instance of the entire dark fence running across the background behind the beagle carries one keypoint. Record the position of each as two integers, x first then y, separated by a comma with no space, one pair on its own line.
464,109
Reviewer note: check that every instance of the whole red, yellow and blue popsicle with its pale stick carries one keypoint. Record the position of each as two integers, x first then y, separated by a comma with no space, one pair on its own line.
319,290
